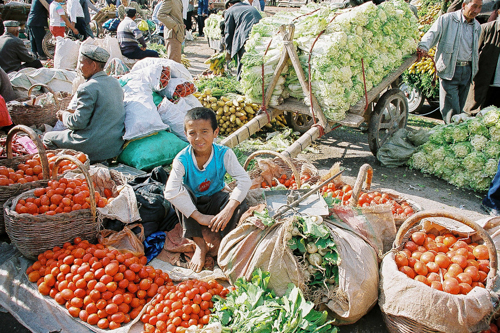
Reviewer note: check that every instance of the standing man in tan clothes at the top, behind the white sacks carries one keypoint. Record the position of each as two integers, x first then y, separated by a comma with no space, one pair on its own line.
170,15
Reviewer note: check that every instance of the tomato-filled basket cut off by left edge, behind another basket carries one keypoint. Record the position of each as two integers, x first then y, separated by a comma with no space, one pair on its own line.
23,173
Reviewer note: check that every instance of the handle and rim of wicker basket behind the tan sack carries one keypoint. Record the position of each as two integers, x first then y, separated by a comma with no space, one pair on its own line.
365,176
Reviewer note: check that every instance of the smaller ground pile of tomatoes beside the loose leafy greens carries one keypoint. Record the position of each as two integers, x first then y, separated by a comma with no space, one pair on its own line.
176,308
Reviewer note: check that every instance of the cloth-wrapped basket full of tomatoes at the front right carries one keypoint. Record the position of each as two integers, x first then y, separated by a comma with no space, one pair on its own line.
438,279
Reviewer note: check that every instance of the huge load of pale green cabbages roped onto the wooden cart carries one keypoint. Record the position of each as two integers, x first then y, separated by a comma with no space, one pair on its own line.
380,35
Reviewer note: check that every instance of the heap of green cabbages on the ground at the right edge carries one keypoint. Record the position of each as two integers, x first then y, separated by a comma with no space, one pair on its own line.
466,154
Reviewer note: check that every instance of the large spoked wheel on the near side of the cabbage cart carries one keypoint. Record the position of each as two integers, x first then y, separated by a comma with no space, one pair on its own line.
389,115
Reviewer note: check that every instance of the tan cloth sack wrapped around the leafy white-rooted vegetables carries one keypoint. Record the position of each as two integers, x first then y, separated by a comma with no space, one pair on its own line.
252,245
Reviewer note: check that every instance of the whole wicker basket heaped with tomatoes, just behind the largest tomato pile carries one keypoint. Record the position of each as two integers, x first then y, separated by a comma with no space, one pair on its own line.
39,219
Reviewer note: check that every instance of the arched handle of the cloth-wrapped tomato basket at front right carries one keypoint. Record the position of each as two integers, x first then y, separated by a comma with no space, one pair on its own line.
416,218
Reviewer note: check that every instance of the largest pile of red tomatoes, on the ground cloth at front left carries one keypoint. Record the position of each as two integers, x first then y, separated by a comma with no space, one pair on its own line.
100,286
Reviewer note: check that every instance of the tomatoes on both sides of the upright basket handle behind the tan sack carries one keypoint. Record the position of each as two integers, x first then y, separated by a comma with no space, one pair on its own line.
344,194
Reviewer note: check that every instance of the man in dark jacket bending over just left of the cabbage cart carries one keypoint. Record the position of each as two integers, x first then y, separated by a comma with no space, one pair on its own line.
239,19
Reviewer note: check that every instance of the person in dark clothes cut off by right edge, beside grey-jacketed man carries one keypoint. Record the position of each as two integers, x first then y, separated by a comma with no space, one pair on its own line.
486,84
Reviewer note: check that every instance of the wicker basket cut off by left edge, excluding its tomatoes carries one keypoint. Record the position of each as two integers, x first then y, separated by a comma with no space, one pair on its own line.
9,191
